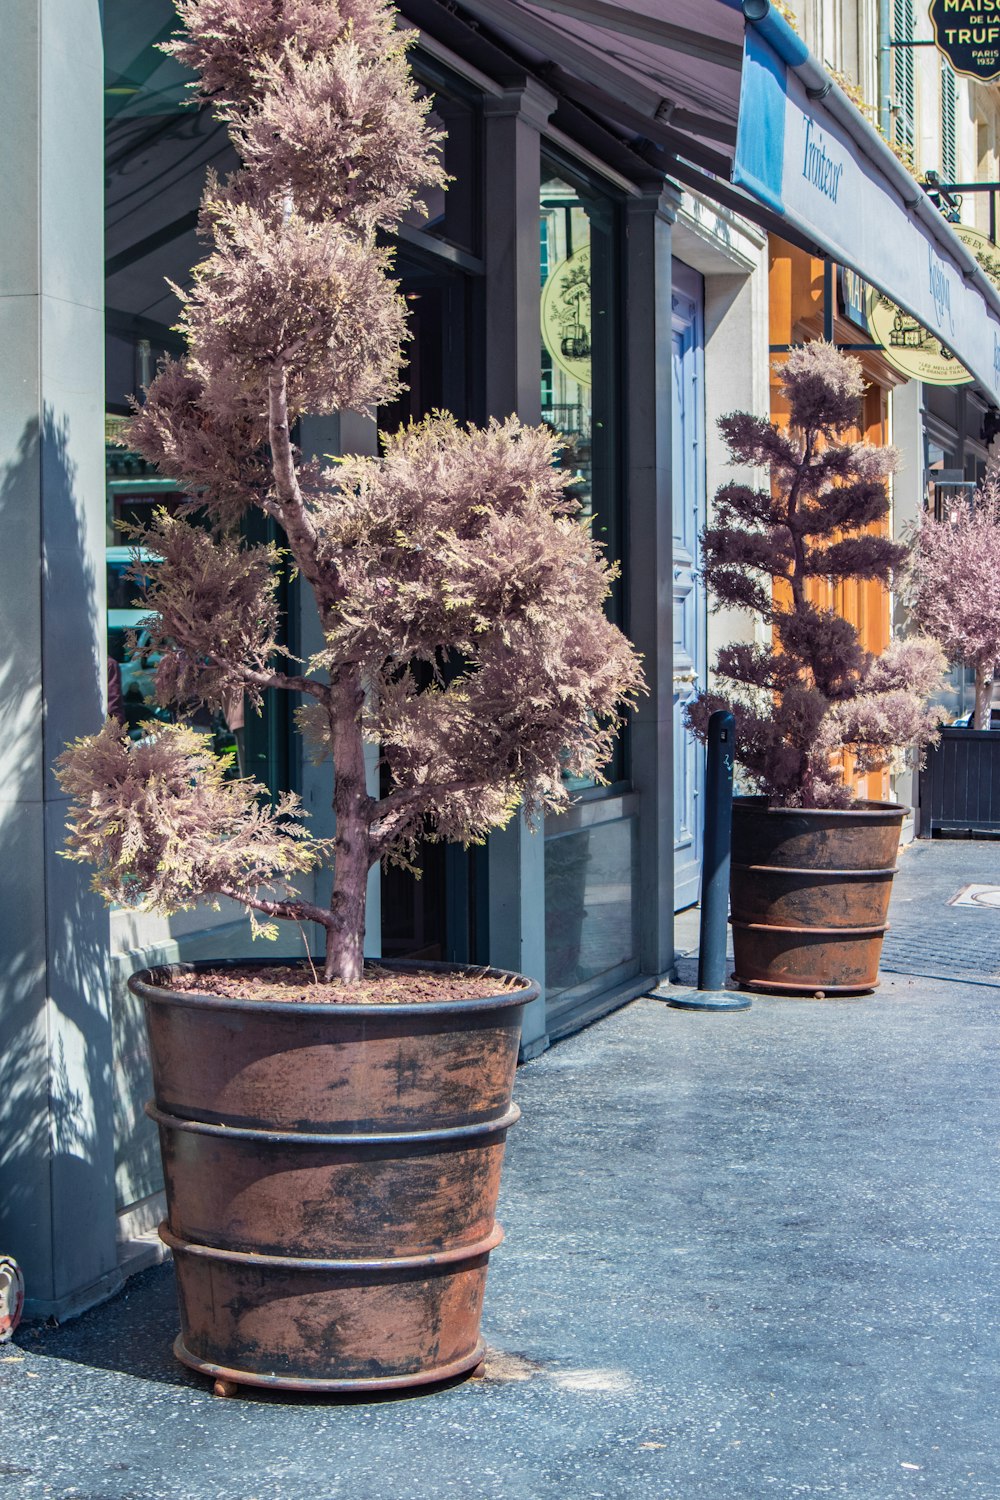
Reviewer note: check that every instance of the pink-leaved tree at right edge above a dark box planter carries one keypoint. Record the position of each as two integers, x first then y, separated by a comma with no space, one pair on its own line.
953,587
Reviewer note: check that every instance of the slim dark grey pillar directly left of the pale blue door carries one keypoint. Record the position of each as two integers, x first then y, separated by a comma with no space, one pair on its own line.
648,382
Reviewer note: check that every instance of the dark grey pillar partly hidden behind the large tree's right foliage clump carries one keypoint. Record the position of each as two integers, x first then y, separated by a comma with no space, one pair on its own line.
513,385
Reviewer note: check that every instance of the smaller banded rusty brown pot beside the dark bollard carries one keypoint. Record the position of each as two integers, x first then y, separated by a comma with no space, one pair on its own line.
810,895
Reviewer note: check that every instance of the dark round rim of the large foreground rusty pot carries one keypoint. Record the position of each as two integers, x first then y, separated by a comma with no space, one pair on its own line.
154,985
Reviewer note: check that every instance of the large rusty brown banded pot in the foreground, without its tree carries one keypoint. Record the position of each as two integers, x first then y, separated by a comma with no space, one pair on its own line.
332,1177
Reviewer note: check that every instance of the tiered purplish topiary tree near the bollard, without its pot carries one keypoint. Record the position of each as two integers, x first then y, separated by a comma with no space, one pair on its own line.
813,689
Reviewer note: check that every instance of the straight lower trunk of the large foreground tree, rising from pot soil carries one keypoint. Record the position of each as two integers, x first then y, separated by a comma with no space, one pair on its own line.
353,808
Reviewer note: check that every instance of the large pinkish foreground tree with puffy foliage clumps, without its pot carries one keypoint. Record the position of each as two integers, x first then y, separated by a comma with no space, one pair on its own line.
460,599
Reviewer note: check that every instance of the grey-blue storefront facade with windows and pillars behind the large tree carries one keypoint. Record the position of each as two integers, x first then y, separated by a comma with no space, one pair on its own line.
590,268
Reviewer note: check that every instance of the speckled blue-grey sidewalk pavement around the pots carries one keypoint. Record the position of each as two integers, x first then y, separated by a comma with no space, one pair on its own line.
747,1255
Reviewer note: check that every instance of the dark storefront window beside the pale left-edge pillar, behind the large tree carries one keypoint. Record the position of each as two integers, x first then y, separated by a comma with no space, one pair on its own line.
158,151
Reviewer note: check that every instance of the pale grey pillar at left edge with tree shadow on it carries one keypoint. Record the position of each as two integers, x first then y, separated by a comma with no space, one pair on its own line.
56,1060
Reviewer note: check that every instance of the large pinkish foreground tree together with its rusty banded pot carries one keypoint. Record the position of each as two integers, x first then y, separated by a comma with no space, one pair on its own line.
332,1132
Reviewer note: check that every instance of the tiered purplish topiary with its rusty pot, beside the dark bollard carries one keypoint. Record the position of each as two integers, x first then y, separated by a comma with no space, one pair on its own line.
812,865
